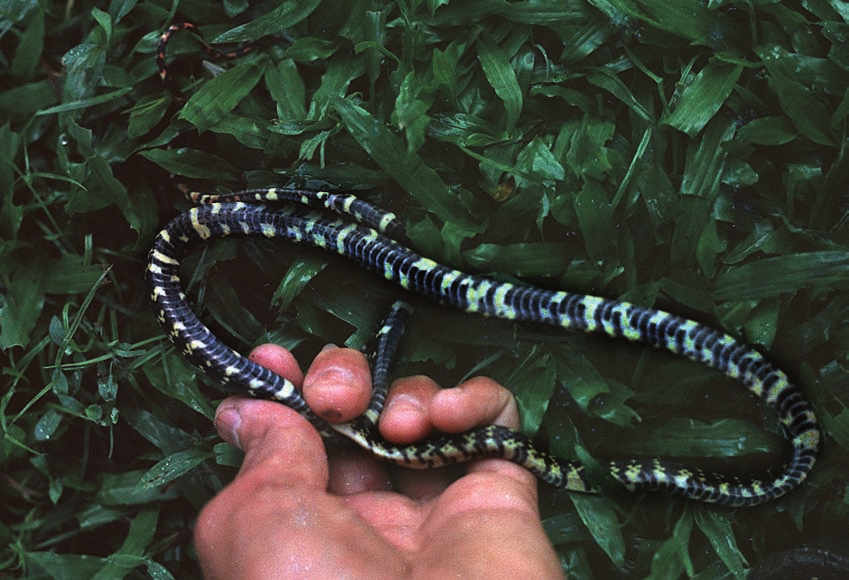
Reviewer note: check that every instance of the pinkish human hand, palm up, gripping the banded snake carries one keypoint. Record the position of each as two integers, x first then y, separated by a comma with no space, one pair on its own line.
288,514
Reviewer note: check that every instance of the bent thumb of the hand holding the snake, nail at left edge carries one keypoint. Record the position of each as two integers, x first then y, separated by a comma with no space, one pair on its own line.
278,443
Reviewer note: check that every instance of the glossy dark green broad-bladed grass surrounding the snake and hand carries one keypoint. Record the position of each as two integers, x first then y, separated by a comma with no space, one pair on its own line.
678,153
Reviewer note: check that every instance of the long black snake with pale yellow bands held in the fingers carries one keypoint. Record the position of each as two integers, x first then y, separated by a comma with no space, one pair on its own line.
369,236
